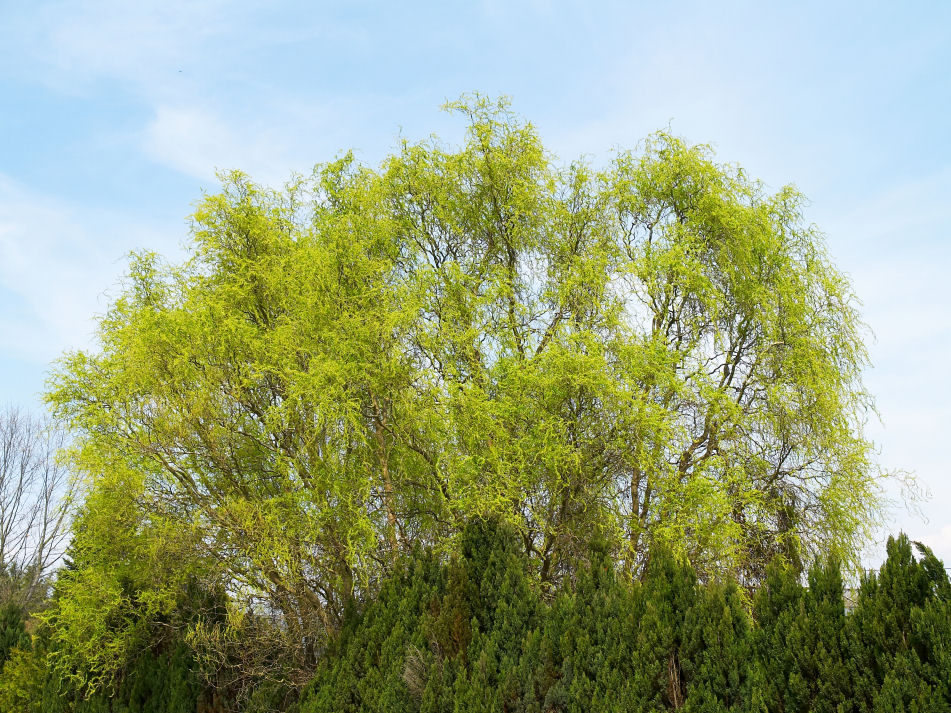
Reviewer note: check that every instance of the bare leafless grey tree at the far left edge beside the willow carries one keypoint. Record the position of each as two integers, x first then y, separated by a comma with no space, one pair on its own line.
34,505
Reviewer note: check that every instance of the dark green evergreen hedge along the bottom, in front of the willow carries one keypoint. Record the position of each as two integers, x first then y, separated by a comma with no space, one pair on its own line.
475,634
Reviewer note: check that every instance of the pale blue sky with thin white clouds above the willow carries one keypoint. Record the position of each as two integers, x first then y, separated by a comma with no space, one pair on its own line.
115,115
